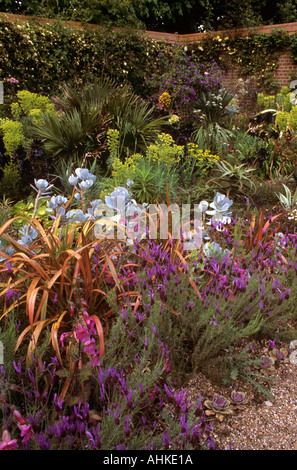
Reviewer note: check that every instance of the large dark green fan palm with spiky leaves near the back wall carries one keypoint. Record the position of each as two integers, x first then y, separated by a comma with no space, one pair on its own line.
85,114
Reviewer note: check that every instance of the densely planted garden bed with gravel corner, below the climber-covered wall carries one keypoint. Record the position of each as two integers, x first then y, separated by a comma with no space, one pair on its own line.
117,336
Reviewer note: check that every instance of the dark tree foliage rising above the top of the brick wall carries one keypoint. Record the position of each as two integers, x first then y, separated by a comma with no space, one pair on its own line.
182,16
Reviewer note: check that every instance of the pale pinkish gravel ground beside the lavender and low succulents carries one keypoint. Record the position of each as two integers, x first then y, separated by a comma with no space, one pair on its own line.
263,424
